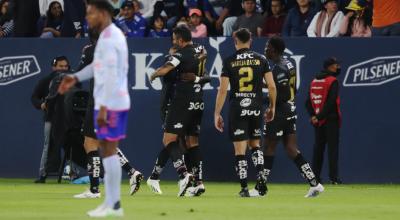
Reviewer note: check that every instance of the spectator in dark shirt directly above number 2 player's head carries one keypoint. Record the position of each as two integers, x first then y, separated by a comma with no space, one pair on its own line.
251,19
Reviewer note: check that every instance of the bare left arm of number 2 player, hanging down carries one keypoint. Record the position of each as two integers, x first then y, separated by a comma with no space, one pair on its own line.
219,103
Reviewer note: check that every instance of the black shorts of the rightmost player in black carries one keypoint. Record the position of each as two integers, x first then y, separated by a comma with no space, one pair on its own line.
280,127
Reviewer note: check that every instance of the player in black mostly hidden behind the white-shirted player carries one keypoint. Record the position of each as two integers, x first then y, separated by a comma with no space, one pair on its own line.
91,144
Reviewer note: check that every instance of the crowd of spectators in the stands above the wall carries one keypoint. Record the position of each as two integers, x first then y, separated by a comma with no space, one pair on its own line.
207,18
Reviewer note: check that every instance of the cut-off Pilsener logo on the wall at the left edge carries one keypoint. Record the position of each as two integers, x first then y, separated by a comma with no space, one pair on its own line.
13,69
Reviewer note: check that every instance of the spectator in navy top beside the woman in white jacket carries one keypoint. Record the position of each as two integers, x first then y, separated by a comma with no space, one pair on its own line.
298,19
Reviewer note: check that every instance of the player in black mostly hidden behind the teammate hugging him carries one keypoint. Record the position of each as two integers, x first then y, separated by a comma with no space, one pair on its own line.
192,157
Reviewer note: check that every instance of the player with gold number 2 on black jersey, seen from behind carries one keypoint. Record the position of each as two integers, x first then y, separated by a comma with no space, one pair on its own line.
244,71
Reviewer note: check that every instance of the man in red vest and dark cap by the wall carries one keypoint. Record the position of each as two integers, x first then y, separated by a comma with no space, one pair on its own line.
323,105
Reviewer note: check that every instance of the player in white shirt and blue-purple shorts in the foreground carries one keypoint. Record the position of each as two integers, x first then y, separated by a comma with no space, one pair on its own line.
111,98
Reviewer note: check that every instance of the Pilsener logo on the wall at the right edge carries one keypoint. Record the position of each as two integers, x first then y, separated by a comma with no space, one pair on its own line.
373,72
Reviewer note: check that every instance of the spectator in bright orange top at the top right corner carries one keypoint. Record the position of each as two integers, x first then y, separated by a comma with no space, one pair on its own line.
386,18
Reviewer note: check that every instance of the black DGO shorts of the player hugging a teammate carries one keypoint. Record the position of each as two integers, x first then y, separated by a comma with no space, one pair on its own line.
184,117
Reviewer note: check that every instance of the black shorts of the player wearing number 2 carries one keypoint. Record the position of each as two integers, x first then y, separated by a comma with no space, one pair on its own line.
245,124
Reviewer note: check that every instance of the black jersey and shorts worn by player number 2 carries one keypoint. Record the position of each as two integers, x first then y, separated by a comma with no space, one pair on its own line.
246,70
